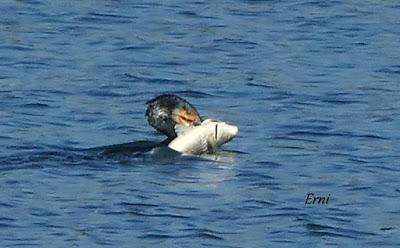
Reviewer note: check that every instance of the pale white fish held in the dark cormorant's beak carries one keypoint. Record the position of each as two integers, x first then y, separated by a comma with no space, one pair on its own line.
205,138
